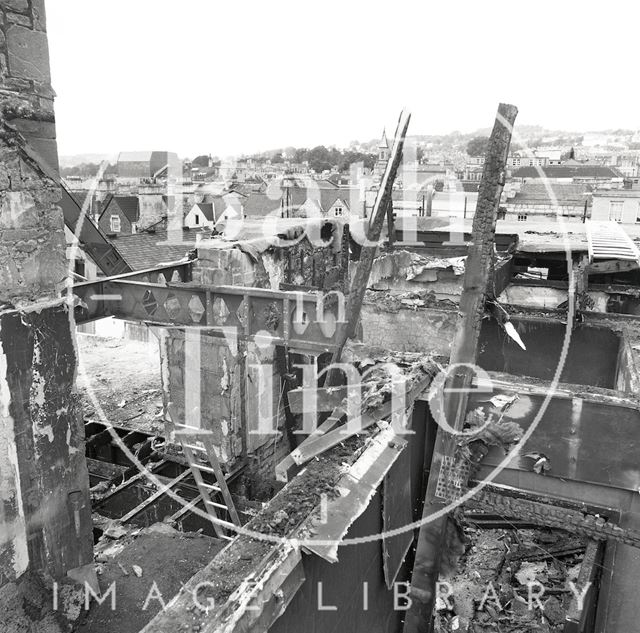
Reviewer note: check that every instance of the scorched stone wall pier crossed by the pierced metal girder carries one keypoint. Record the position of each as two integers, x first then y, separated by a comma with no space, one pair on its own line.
223,385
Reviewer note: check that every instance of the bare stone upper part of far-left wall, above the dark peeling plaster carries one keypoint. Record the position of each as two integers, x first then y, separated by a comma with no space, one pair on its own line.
32,241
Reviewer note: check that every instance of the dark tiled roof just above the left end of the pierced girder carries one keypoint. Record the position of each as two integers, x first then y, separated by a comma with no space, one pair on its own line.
148,249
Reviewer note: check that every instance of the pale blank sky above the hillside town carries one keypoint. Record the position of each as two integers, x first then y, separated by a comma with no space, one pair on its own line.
219,77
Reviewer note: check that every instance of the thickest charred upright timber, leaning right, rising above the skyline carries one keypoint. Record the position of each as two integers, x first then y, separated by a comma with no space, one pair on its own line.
463,356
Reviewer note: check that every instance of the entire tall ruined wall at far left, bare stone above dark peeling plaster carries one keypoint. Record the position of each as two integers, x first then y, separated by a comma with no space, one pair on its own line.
44,484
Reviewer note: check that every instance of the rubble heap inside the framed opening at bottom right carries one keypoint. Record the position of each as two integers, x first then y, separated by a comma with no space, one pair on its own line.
511,581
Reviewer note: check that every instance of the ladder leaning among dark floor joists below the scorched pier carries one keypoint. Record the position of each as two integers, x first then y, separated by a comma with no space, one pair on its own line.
188,437
